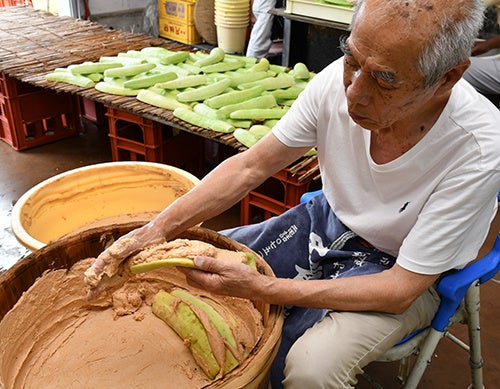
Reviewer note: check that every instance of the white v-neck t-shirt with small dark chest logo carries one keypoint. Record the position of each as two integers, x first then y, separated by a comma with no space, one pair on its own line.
432,206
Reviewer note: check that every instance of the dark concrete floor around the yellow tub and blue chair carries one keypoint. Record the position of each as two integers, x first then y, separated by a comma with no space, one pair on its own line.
20,170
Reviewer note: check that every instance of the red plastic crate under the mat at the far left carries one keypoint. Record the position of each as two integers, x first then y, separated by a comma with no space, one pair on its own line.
32,116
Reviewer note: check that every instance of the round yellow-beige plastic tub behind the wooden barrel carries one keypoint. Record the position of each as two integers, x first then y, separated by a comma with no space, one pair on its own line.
94,196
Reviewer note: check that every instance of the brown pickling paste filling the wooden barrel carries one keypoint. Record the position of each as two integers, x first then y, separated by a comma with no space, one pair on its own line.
55,338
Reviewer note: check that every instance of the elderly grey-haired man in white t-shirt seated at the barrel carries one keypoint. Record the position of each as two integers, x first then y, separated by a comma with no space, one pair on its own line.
410,165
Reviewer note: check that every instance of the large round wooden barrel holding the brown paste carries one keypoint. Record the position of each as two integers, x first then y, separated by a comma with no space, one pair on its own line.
253,373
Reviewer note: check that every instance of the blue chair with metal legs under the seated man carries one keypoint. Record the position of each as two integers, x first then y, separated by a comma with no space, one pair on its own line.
460,302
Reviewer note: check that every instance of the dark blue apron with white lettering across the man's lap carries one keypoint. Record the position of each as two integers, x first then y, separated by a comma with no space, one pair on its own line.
308,242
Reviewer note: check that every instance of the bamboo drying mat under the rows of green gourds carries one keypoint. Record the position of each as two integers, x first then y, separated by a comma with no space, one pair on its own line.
34,43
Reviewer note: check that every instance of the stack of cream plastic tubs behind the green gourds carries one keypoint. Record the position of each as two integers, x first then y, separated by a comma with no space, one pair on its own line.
232,18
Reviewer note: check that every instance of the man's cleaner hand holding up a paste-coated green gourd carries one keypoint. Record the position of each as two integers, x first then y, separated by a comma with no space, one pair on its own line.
225,277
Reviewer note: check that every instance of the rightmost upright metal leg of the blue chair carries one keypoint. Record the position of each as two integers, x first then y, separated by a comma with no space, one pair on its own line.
472,306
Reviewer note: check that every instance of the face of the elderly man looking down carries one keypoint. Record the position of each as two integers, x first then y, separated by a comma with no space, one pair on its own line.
381,81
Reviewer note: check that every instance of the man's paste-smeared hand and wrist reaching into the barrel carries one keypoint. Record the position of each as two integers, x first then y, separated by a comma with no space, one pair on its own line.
106,271
